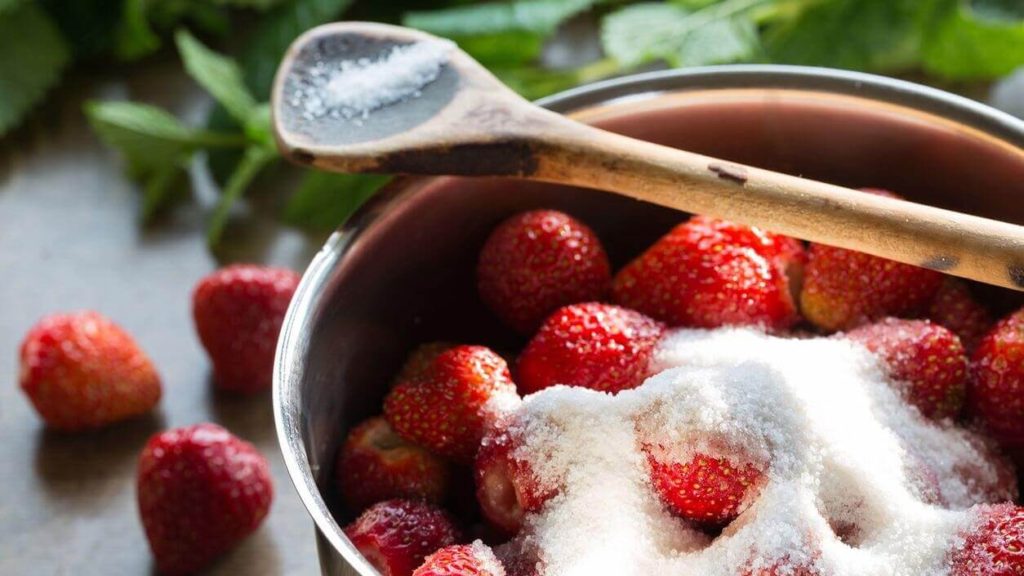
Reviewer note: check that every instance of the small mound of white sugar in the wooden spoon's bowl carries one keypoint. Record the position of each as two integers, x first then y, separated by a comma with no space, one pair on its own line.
354,89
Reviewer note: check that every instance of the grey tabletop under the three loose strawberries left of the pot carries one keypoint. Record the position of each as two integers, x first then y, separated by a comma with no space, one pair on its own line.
70,239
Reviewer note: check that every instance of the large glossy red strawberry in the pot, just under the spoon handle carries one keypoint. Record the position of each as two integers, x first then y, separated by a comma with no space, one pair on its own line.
699,275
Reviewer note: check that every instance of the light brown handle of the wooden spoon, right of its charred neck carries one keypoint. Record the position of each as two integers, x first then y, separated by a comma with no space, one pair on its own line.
960,244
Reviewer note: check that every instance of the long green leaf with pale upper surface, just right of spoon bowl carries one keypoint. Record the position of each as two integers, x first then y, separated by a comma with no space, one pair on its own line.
500,33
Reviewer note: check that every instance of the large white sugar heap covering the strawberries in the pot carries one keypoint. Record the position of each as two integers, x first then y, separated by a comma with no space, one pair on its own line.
841,447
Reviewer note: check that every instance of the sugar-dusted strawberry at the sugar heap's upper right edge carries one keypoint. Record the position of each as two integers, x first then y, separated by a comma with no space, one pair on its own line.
926,357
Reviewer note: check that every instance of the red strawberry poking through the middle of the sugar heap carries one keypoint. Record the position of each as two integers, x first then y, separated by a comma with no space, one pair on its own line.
705,489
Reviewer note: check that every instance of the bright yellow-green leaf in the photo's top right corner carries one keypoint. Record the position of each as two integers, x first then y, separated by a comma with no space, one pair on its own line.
976,44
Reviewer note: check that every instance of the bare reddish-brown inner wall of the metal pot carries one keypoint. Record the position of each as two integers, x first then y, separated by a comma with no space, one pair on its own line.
408,276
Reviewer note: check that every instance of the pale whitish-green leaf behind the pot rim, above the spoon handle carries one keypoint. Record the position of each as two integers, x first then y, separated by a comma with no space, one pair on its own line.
652,32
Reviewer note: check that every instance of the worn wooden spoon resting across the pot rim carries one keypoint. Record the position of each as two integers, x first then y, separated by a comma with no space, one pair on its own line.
466,122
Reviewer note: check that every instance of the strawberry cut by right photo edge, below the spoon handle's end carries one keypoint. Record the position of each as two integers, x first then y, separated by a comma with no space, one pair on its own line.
997,380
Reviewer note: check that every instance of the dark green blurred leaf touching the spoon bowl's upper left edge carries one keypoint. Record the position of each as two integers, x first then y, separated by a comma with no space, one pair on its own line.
263,54
